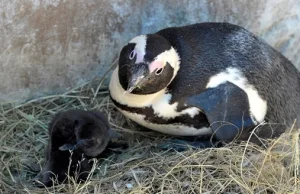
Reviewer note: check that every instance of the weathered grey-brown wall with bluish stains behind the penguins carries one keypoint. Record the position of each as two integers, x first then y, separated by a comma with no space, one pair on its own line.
50,46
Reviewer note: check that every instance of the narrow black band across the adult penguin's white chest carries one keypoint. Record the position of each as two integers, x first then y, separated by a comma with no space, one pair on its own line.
198,121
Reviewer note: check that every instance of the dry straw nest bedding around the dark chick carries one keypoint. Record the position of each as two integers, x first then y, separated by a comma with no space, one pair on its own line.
143,167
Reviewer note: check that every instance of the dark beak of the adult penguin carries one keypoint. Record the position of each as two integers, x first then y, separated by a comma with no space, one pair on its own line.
137,75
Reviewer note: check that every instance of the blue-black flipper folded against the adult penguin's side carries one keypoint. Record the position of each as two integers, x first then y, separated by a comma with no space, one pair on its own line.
226,108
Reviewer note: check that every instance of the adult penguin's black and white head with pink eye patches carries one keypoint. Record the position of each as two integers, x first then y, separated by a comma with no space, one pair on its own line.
147,64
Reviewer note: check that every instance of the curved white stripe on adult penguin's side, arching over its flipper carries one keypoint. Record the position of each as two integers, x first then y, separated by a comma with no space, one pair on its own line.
258,106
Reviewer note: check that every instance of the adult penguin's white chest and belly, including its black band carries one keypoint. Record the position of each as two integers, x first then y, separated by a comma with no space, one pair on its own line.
154,111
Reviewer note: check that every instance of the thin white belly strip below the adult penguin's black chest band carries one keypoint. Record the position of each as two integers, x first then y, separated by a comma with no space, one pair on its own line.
171,129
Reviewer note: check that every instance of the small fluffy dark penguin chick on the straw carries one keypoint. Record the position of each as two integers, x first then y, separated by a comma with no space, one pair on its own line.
75,135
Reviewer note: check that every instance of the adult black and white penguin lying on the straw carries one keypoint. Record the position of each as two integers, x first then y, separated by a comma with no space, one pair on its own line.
207,79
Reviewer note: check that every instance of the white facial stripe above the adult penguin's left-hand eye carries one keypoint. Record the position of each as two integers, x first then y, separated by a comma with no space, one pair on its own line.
140,47
